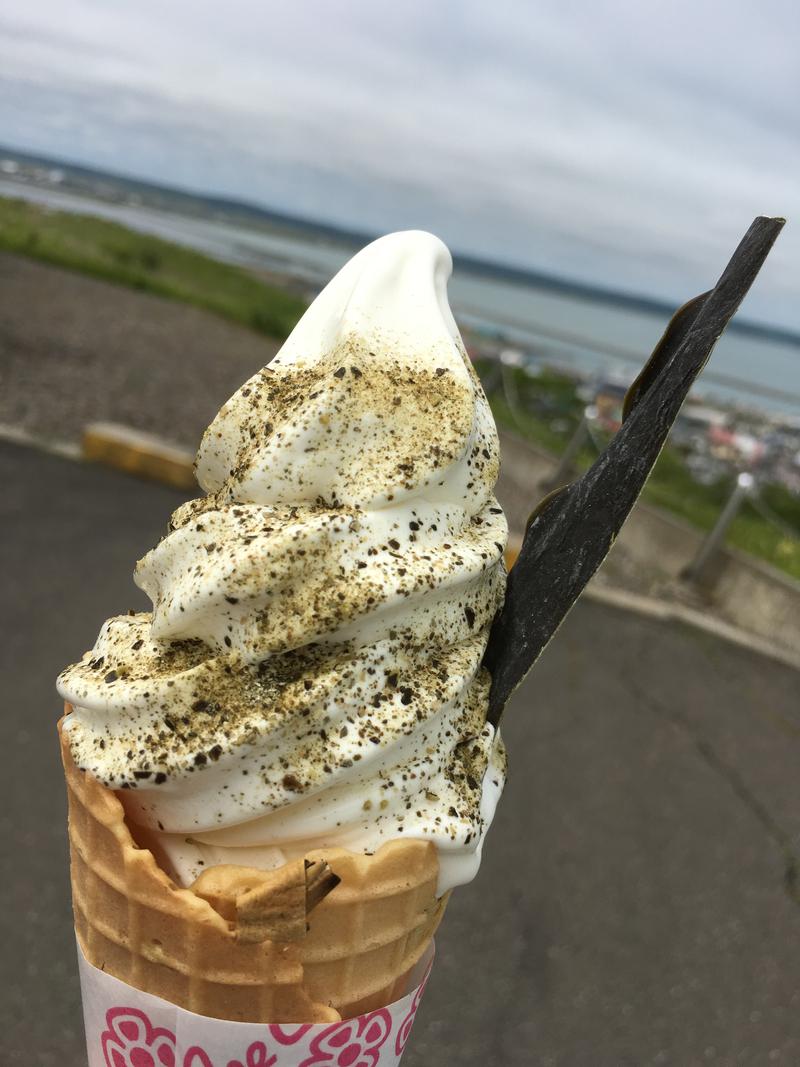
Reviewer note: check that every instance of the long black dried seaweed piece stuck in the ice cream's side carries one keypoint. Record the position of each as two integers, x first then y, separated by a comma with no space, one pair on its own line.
573,530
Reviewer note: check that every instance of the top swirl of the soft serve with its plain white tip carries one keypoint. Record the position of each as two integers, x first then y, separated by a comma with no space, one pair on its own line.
370,402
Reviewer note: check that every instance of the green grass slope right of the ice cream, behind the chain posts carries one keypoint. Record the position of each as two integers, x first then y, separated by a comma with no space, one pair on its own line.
547,411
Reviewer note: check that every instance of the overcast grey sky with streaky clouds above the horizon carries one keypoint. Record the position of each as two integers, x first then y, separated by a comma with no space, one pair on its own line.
622,142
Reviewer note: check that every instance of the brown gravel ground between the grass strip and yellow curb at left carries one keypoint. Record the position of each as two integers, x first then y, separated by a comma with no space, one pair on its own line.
75,351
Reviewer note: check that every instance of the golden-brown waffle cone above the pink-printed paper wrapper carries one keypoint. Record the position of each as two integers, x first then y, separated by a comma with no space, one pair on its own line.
135,923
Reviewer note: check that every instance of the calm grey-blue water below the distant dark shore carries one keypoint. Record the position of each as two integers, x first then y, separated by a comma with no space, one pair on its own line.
577,332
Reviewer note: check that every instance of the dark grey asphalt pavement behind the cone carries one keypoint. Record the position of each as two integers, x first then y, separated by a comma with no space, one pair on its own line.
638,902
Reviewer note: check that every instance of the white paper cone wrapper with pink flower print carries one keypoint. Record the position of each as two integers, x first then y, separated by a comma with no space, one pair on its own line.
127,1028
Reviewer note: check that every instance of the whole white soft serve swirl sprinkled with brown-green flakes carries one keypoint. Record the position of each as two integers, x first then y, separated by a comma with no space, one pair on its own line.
311,674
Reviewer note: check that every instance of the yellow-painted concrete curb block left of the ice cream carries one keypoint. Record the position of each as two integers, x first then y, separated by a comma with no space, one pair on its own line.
138,454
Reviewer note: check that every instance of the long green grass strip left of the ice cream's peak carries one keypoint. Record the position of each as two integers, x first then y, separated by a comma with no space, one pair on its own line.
109,251
